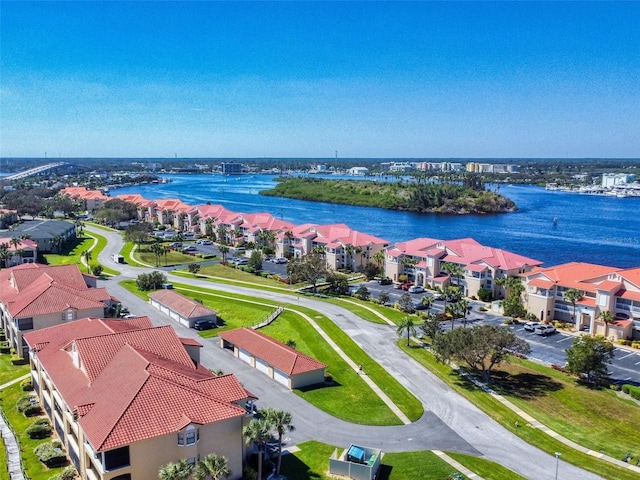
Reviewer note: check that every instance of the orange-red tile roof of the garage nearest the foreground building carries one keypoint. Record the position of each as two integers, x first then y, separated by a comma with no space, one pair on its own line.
276,354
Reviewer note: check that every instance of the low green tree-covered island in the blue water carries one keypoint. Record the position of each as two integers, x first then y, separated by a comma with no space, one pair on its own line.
469,197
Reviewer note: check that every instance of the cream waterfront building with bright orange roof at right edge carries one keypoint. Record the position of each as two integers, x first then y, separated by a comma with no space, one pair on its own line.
602,288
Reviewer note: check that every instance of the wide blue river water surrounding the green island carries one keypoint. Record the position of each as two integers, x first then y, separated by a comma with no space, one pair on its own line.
596,229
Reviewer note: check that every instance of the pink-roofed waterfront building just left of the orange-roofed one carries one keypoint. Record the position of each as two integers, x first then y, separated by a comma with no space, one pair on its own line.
424,261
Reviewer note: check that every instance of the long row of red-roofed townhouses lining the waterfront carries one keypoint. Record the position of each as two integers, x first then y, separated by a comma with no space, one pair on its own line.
427,262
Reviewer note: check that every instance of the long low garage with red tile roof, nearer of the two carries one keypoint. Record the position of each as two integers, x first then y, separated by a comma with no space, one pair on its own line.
284,364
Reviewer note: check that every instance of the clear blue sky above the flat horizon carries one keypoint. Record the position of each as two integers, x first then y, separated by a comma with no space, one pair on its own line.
306,79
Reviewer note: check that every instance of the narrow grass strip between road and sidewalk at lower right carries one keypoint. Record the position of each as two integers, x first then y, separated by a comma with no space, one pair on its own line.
508,419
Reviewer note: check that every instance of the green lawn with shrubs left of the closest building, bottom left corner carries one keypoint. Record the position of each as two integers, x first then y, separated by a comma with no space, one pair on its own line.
33,467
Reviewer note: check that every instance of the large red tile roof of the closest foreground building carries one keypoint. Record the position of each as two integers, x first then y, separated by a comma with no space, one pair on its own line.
132,384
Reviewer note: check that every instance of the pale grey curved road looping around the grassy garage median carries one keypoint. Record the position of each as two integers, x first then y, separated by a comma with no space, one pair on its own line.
450,422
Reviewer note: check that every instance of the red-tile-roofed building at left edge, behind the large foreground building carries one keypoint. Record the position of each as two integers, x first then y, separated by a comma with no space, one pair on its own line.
34,296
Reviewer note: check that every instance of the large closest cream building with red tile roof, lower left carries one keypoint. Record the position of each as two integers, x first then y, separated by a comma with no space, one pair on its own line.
167,407
